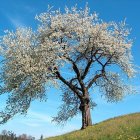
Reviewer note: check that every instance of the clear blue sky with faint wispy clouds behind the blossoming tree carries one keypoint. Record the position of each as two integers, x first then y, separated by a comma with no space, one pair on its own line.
15,13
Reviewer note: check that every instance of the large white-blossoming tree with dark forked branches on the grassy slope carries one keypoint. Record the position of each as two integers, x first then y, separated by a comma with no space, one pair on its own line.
74,41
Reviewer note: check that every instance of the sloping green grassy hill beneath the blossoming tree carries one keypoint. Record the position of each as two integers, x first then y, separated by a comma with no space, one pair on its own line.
120,128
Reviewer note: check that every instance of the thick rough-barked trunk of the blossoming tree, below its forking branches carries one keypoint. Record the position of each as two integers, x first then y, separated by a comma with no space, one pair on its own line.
86,116
